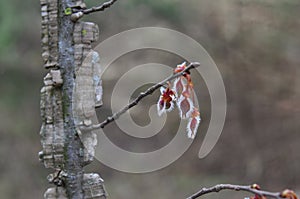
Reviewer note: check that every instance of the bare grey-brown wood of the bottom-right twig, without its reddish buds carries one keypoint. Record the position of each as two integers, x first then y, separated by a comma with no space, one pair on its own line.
250,189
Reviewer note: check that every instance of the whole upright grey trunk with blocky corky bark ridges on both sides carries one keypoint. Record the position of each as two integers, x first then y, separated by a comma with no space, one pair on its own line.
72,89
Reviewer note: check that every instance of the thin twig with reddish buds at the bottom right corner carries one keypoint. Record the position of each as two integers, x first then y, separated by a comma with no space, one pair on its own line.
255,189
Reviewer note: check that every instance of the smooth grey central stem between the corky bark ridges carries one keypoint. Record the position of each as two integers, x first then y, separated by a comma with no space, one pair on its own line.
73,145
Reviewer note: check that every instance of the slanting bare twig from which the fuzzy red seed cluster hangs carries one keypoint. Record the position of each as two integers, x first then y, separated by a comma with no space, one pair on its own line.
149,91
